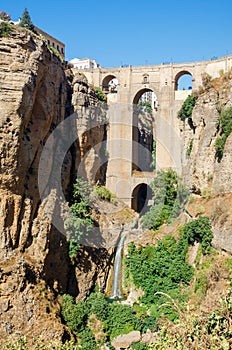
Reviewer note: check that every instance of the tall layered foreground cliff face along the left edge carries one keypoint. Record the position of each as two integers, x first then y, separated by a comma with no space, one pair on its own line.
33,98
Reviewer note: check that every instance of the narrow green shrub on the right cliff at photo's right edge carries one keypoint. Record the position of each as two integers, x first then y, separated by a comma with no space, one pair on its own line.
225,128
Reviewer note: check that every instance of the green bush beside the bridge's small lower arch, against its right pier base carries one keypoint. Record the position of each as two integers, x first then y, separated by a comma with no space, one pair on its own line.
169,196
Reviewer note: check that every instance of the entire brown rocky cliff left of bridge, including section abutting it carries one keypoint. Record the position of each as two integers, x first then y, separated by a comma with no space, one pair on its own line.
37,92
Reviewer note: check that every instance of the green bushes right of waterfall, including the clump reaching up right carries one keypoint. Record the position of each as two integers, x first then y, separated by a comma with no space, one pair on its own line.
164,268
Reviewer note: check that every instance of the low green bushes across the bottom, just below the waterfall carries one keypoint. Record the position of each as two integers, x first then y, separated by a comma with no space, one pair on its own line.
115,318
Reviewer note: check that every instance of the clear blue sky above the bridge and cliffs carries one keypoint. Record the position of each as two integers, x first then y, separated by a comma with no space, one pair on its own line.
133,32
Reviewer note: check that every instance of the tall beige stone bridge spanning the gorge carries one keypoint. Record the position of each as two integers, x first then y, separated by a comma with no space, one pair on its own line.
124,177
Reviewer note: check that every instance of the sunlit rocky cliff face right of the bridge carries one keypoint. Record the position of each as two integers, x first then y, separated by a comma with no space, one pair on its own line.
203,172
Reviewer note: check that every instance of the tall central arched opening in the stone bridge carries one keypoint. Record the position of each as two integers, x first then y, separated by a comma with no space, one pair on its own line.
144,103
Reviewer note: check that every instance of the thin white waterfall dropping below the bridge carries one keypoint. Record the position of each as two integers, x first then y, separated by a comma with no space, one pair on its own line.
117,276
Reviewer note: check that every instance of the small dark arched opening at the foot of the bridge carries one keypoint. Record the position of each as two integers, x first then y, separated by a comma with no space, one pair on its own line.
141,198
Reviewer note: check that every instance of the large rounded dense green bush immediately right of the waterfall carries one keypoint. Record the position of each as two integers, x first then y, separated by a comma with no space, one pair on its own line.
160,269
